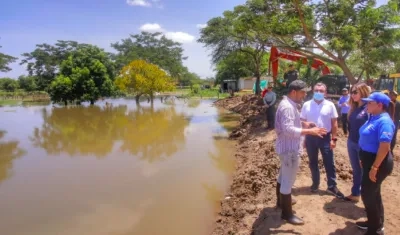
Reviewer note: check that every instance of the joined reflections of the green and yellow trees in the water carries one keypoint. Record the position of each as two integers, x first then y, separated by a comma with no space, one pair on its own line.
146,132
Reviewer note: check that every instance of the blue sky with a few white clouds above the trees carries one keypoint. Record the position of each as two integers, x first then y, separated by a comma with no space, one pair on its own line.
25,23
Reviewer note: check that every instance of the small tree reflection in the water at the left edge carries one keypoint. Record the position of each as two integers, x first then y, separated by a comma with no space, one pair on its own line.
9,151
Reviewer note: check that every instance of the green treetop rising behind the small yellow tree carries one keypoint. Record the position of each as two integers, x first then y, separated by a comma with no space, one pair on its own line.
154,48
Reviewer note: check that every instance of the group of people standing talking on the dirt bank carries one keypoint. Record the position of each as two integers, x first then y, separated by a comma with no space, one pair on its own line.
370,127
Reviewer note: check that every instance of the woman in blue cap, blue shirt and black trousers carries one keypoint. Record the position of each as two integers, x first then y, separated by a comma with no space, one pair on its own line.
376,159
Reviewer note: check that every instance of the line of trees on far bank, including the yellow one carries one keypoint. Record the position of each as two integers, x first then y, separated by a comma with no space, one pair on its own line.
70,71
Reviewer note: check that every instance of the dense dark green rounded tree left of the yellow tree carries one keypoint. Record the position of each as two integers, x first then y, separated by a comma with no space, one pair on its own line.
86,75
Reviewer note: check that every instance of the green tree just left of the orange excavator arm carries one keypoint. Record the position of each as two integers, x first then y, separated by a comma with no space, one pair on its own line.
238,30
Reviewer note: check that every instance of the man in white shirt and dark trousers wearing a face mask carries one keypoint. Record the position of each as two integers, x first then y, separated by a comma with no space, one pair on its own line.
323,113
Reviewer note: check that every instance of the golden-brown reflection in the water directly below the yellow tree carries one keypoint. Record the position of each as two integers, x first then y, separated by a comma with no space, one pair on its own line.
154,135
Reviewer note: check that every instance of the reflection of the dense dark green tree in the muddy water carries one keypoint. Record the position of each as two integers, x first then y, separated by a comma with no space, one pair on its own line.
80,130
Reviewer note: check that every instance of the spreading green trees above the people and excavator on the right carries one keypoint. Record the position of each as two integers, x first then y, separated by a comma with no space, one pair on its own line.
359,38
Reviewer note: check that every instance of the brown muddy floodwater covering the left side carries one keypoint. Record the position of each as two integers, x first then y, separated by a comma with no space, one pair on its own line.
117,169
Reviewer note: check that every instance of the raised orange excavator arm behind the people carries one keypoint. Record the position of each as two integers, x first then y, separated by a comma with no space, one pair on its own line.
295,56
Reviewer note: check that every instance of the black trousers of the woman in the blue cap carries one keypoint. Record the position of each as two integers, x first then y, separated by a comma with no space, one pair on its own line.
371,192
